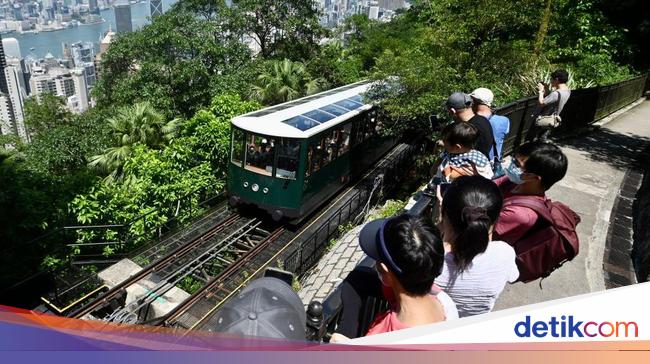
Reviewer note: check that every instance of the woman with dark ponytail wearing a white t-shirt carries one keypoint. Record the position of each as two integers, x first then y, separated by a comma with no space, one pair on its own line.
476,268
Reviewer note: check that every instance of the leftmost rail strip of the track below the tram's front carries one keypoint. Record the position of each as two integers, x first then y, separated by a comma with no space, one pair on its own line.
178,256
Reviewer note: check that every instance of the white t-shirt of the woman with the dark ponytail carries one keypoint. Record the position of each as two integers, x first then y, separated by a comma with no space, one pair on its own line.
476,289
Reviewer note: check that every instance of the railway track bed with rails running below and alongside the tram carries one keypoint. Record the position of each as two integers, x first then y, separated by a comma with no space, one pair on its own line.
221,261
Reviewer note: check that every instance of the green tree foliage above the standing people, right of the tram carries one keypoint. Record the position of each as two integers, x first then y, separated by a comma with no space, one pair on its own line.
438,47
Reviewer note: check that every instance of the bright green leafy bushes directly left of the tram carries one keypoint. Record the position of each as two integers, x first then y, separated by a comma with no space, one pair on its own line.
155,179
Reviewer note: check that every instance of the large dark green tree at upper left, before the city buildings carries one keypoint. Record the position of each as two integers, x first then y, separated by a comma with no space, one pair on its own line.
177,63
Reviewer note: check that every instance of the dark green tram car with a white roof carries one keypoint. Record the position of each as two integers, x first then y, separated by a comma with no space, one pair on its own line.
291,158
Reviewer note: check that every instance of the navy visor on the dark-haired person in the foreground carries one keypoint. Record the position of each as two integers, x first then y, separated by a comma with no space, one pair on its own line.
373,243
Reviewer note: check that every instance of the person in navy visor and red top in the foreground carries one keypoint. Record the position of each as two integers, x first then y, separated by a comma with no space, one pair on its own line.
408,257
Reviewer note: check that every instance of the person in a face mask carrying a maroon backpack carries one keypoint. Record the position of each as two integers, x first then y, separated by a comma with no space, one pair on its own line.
535,167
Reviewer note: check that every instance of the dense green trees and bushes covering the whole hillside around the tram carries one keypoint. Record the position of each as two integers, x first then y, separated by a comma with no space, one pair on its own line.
168,91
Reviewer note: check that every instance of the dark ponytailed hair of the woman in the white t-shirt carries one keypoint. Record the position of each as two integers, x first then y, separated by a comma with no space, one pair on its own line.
471,205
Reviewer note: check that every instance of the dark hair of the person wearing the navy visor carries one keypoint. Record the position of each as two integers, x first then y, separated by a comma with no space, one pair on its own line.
417,250
